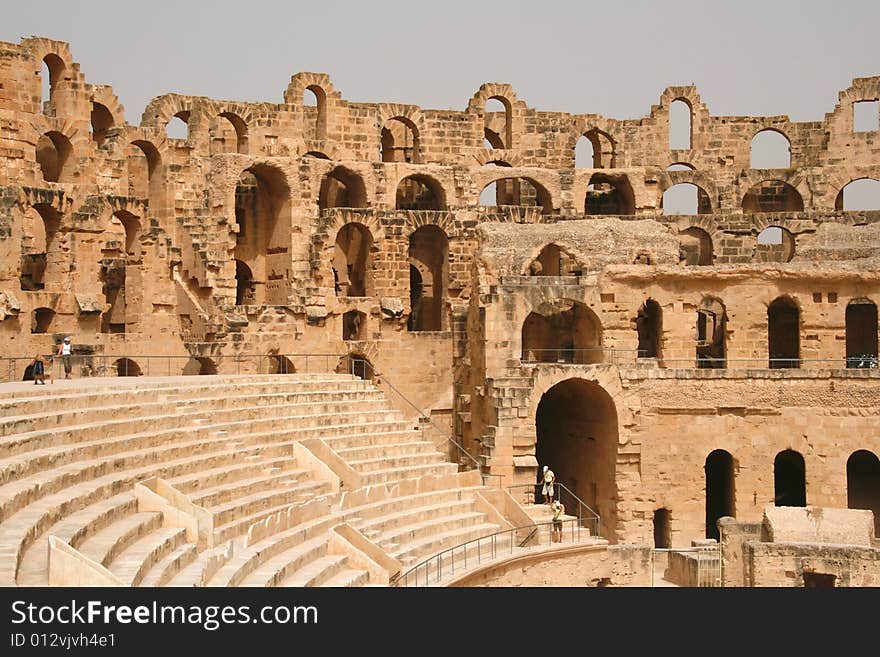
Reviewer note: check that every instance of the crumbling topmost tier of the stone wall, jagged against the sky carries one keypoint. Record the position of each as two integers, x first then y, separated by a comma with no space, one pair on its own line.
345,130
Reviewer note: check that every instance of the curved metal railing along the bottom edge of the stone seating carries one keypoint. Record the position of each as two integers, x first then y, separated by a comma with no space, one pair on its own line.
475,552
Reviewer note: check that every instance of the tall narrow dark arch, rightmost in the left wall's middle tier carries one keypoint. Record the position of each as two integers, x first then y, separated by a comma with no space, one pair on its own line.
428,258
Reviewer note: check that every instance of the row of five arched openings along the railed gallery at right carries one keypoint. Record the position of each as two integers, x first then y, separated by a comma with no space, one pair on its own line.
567,331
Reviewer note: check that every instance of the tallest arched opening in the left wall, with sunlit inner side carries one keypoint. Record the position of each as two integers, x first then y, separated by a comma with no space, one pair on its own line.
262,248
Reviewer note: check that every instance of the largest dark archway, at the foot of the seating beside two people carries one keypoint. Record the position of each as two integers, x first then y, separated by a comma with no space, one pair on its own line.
576,426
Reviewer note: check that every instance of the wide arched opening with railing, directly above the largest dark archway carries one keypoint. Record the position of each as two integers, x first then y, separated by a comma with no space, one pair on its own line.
569,332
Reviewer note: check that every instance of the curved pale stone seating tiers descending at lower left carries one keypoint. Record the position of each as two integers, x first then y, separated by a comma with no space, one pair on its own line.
232,447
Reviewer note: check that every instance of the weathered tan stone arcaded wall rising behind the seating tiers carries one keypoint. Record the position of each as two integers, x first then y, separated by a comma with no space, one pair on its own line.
344,227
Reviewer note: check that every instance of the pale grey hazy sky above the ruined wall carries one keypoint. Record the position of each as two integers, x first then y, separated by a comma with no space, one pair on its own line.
610,57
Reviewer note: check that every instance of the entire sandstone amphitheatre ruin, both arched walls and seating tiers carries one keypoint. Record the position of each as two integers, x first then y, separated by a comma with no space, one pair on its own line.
401,314
